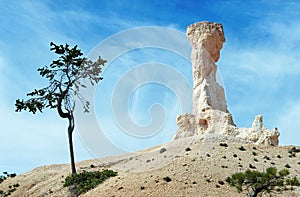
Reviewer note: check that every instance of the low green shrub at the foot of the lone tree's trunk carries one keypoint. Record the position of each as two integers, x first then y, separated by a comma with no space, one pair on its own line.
85,181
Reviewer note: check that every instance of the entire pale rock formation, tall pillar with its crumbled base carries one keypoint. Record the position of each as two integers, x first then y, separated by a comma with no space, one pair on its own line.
210,113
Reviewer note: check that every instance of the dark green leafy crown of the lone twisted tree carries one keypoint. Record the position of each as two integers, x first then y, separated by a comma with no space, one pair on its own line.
65,76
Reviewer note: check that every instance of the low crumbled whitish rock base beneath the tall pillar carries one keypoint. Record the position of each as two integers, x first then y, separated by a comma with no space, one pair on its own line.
221,124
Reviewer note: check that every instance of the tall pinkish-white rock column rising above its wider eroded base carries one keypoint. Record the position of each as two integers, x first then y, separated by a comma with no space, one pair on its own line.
207,40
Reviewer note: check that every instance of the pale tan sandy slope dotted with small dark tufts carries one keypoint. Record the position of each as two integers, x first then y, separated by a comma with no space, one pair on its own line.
193,173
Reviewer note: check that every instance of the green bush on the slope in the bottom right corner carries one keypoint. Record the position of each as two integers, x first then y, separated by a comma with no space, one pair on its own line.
257,182
